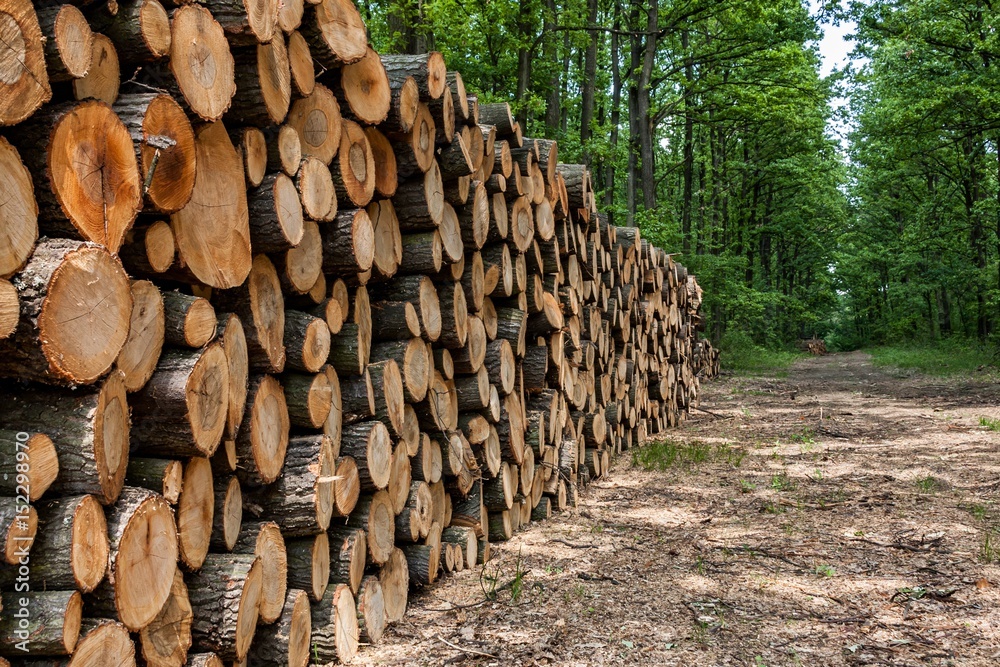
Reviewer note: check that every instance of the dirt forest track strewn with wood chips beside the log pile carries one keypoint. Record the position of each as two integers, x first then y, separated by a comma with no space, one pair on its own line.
841,515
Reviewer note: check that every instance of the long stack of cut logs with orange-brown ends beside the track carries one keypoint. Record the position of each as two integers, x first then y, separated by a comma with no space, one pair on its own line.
289,328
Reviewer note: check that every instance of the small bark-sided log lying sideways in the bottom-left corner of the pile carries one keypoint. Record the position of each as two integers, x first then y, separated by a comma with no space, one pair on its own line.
52,627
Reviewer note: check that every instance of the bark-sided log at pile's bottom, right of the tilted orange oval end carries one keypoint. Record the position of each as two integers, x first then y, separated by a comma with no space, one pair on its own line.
225,595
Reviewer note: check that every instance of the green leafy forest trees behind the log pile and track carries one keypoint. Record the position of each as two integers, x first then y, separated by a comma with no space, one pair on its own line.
707,123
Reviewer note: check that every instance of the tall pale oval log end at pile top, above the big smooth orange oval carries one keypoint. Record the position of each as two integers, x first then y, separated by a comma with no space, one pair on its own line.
201,62
